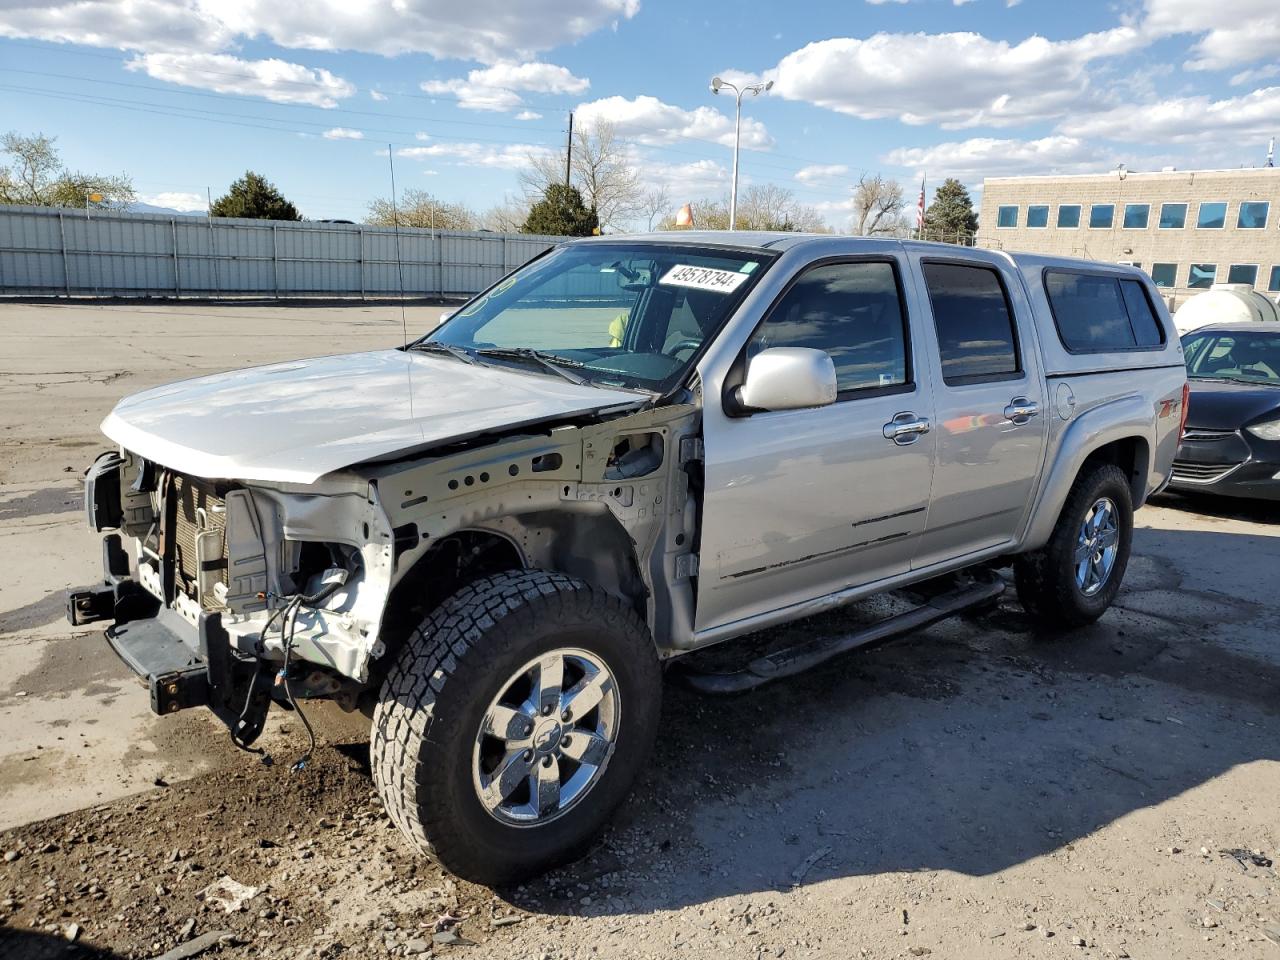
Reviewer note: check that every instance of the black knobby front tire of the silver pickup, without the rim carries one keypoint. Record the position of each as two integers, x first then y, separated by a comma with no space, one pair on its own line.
446,676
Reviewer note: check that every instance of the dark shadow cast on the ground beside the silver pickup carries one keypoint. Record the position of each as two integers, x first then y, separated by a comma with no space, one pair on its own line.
972,748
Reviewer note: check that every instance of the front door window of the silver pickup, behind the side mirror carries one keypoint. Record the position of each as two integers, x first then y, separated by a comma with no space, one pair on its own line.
854,313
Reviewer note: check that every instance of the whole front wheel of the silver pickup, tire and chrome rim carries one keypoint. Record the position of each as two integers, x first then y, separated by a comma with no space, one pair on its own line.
514,723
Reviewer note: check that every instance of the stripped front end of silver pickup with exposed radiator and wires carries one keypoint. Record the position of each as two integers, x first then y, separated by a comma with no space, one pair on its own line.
231,596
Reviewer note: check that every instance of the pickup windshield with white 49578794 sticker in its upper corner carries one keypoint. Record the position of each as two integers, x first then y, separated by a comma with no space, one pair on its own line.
615,314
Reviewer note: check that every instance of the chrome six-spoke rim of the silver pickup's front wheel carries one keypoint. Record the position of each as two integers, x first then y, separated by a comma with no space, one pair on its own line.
547,738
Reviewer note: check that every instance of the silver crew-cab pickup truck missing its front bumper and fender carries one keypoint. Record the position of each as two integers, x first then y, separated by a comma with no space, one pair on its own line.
497,538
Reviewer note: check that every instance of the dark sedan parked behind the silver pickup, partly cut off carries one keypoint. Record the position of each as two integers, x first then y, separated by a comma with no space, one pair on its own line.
1232,441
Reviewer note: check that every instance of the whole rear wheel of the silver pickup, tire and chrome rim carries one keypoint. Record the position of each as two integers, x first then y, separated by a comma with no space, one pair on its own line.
1077,575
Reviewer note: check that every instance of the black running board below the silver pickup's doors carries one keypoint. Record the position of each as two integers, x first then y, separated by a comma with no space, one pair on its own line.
797,660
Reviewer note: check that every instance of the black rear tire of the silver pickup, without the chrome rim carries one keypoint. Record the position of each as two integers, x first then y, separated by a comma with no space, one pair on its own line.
1046,578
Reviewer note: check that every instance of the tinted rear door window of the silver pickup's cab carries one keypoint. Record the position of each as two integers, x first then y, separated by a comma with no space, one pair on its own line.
975,323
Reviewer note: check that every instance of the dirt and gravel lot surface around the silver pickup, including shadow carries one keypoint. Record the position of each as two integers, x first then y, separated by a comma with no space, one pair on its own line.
972,792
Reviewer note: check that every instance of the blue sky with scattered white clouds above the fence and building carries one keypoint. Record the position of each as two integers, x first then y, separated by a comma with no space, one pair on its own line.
186,95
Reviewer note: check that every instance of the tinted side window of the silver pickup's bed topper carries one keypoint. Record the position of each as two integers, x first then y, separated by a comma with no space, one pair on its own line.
1096,313
